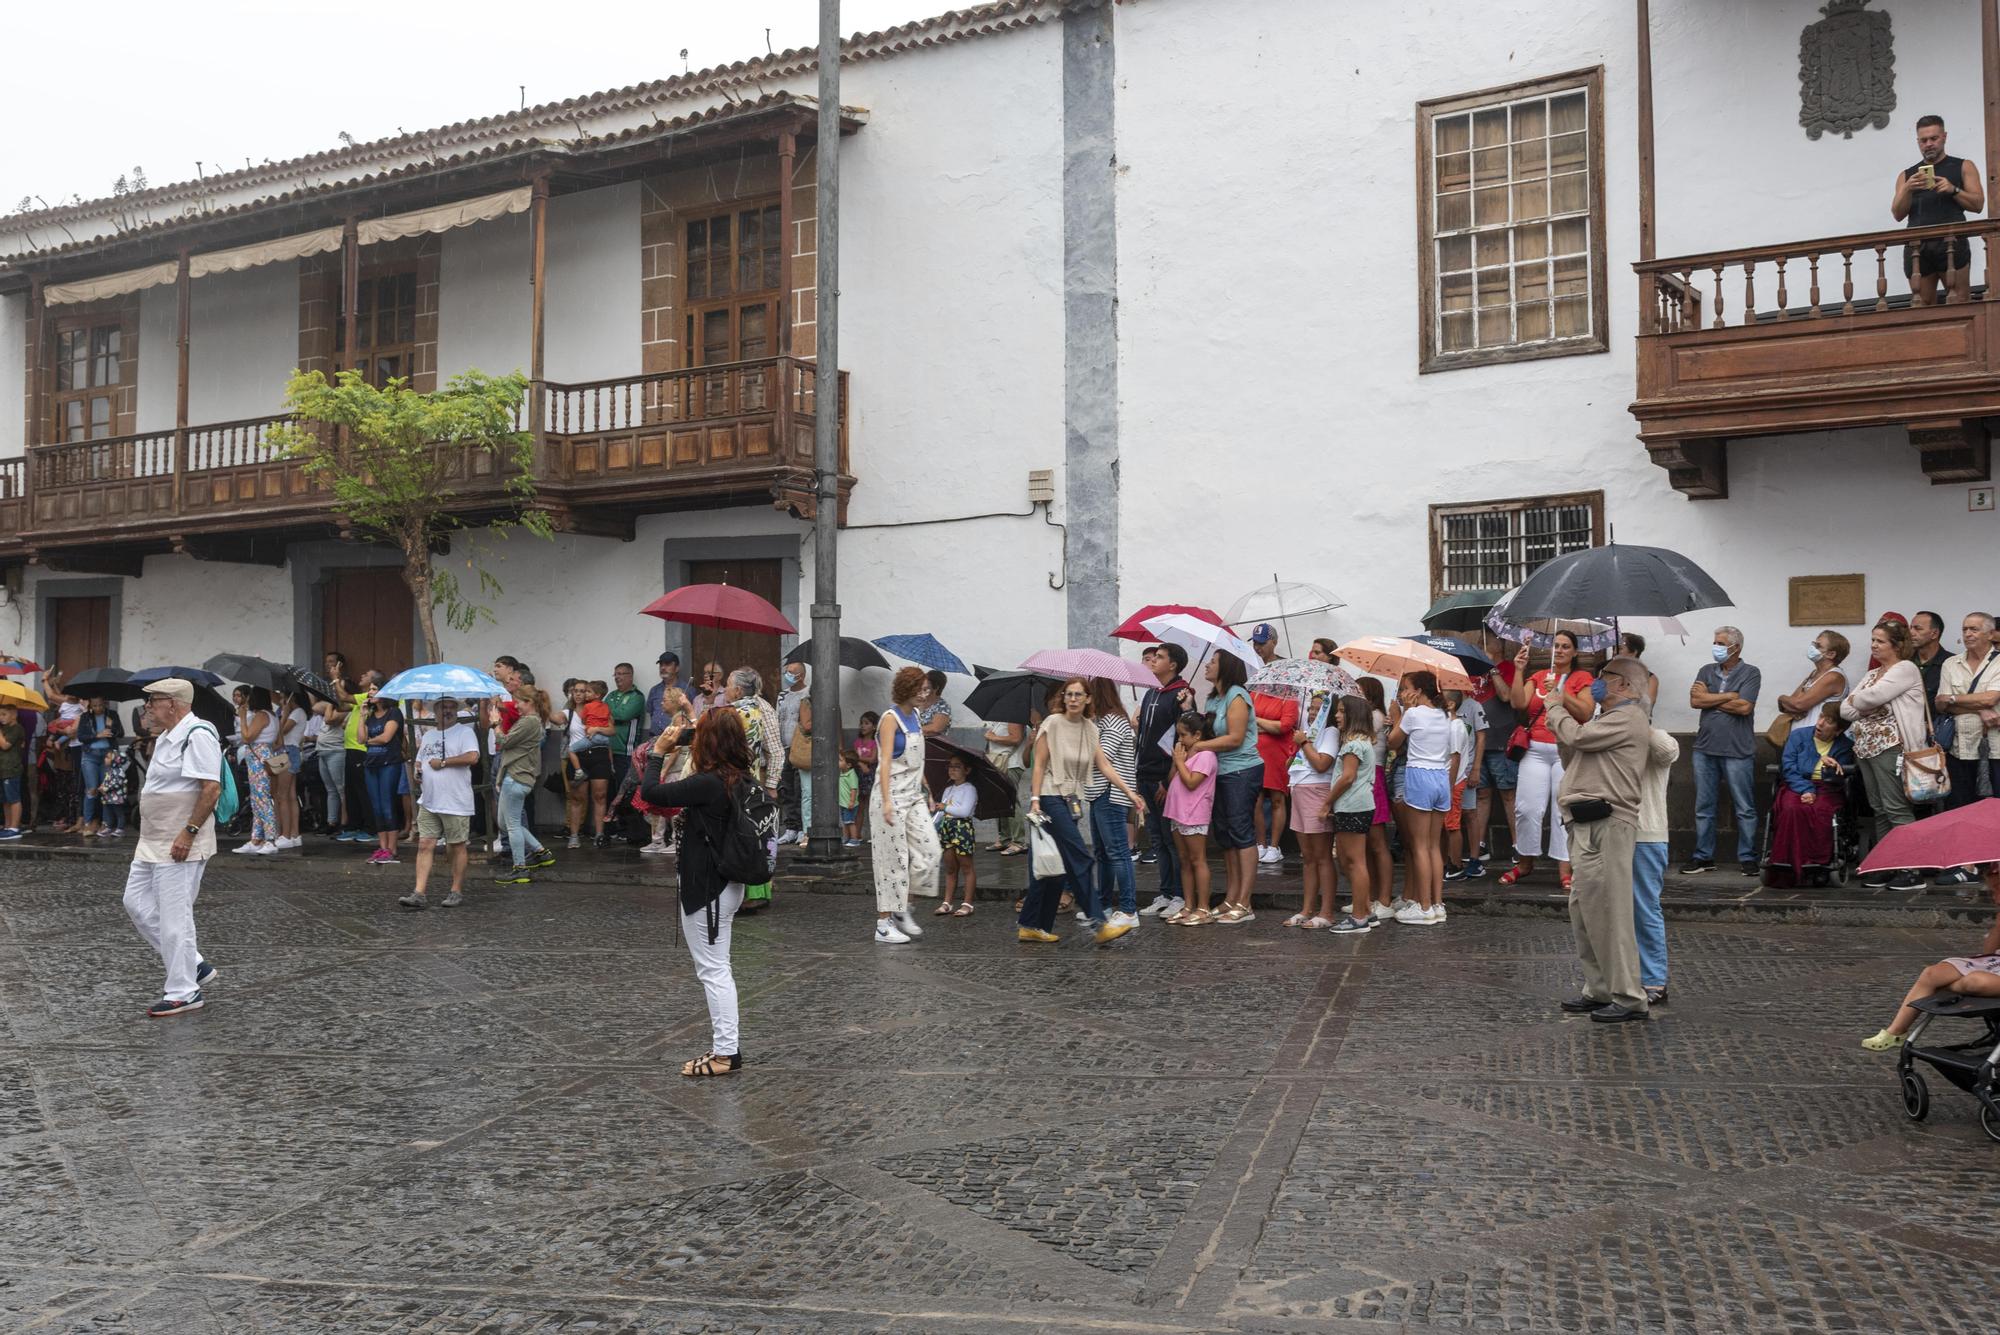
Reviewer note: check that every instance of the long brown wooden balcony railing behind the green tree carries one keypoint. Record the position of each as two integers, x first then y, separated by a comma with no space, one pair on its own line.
609,453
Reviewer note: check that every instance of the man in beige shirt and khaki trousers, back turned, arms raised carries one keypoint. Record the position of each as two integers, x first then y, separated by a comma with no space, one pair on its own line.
1603,788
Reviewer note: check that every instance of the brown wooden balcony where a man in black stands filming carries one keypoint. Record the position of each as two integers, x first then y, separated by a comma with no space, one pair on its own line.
1809,337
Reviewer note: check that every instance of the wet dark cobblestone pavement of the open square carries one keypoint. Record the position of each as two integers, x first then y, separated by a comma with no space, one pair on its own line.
473,1122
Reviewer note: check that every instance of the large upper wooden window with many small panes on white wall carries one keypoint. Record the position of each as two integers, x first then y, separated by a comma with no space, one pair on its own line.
1513,223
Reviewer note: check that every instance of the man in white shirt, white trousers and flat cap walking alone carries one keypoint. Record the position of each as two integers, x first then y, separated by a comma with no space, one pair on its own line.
177,836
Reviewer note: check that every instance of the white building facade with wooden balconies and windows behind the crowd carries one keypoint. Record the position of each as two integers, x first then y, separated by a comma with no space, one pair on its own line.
1295,289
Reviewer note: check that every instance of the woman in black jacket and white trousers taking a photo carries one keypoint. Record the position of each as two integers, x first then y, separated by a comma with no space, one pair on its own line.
709,902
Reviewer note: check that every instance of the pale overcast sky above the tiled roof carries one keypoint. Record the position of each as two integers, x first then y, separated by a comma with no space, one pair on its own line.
221,81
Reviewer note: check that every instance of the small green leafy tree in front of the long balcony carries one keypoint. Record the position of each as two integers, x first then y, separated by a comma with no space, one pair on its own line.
395,459
